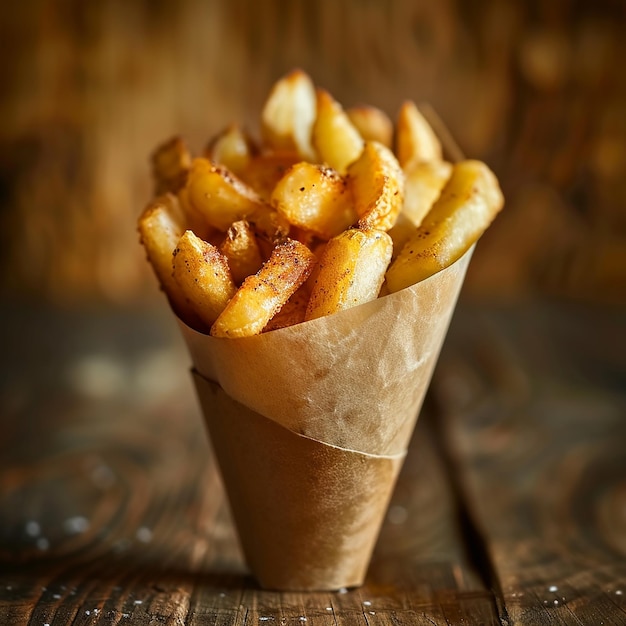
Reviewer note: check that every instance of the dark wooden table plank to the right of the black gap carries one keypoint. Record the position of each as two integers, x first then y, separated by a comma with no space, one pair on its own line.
535,430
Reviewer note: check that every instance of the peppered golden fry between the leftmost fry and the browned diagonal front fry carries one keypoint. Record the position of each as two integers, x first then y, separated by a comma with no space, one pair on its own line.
203,275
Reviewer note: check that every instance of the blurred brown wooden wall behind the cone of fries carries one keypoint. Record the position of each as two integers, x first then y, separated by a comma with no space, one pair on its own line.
536,89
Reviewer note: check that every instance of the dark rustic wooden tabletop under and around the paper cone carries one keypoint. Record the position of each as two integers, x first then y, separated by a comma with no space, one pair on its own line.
510,509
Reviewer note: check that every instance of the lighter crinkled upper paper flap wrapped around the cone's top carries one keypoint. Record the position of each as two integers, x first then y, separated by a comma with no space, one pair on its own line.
355,379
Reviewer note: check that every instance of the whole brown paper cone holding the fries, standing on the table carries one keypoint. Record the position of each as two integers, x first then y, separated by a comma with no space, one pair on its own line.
311,423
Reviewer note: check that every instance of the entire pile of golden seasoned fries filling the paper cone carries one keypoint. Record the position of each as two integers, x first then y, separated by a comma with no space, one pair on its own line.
332,208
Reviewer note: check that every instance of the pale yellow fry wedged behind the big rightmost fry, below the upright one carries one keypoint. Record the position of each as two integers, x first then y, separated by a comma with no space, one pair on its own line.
424,181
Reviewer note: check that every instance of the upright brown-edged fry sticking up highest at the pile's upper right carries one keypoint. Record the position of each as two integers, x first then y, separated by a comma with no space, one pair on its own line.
415,139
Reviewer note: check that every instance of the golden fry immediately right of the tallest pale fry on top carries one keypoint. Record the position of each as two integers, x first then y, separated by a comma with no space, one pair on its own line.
337,141
